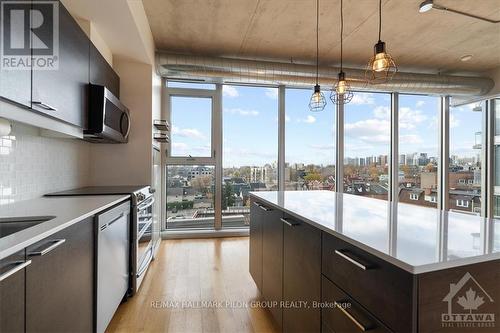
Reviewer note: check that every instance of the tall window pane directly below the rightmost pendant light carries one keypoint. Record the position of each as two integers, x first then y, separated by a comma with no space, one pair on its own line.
366,145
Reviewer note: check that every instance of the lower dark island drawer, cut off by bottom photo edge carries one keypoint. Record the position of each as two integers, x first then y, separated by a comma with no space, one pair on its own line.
345,315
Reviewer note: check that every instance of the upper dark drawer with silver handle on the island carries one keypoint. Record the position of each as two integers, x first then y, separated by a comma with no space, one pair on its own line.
384,289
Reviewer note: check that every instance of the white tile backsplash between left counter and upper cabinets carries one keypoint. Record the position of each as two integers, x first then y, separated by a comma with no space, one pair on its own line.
32,165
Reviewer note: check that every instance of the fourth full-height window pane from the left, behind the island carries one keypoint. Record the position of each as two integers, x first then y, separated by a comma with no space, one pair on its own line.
418,147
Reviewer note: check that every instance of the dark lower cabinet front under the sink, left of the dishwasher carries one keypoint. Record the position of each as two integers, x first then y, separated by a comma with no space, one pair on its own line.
12,274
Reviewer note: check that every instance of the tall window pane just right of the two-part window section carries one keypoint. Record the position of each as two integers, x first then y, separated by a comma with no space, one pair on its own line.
250,149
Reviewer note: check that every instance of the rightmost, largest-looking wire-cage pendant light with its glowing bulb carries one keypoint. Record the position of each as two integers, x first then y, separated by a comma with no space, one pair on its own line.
381,67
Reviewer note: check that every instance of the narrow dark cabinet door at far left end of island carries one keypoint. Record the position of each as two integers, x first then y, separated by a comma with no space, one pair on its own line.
256,216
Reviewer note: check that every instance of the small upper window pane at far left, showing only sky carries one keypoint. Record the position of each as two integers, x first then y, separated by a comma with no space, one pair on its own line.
191,120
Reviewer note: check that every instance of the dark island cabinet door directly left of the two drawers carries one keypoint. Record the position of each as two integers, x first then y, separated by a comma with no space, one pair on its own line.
301,276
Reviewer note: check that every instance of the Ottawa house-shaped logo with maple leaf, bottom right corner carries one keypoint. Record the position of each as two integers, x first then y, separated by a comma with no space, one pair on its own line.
468,305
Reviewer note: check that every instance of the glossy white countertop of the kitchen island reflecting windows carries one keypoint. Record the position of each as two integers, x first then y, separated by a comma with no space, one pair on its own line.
417,239
